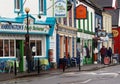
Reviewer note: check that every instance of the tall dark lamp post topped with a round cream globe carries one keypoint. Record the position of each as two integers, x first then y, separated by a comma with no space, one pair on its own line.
27,42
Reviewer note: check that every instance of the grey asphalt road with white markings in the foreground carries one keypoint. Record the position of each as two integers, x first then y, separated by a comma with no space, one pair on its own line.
108,75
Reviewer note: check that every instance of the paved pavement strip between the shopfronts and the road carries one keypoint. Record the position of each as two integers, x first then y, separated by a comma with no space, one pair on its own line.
89,67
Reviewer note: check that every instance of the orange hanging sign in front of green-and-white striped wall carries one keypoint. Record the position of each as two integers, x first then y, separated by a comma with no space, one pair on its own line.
81,12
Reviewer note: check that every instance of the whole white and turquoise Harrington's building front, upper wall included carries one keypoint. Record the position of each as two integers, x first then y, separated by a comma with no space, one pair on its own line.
13,27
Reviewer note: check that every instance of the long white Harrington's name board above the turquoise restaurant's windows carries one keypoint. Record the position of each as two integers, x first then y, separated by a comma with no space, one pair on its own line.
22,28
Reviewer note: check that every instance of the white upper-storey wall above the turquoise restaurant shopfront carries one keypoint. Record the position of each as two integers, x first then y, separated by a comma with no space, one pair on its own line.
32,4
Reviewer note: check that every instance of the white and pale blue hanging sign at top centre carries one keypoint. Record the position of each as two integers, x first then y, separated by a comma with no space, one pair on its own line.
60,8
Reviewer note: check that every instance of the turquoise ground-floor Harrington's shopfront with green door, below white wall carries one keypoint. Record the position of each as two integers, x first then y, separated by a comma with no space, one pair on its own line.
12,37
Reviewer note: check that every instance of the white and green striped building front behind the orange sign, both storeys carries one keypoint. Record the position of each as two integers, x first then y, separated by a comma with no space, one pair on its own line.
86,28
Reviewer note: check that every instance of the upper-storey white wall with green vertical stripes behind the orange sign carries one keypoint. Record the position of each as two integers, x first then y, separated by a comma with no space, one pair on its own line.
87,24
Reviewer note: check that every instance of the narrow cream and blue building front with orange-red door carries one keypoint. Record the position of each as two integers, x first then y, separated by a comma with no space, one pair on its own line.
66,34
